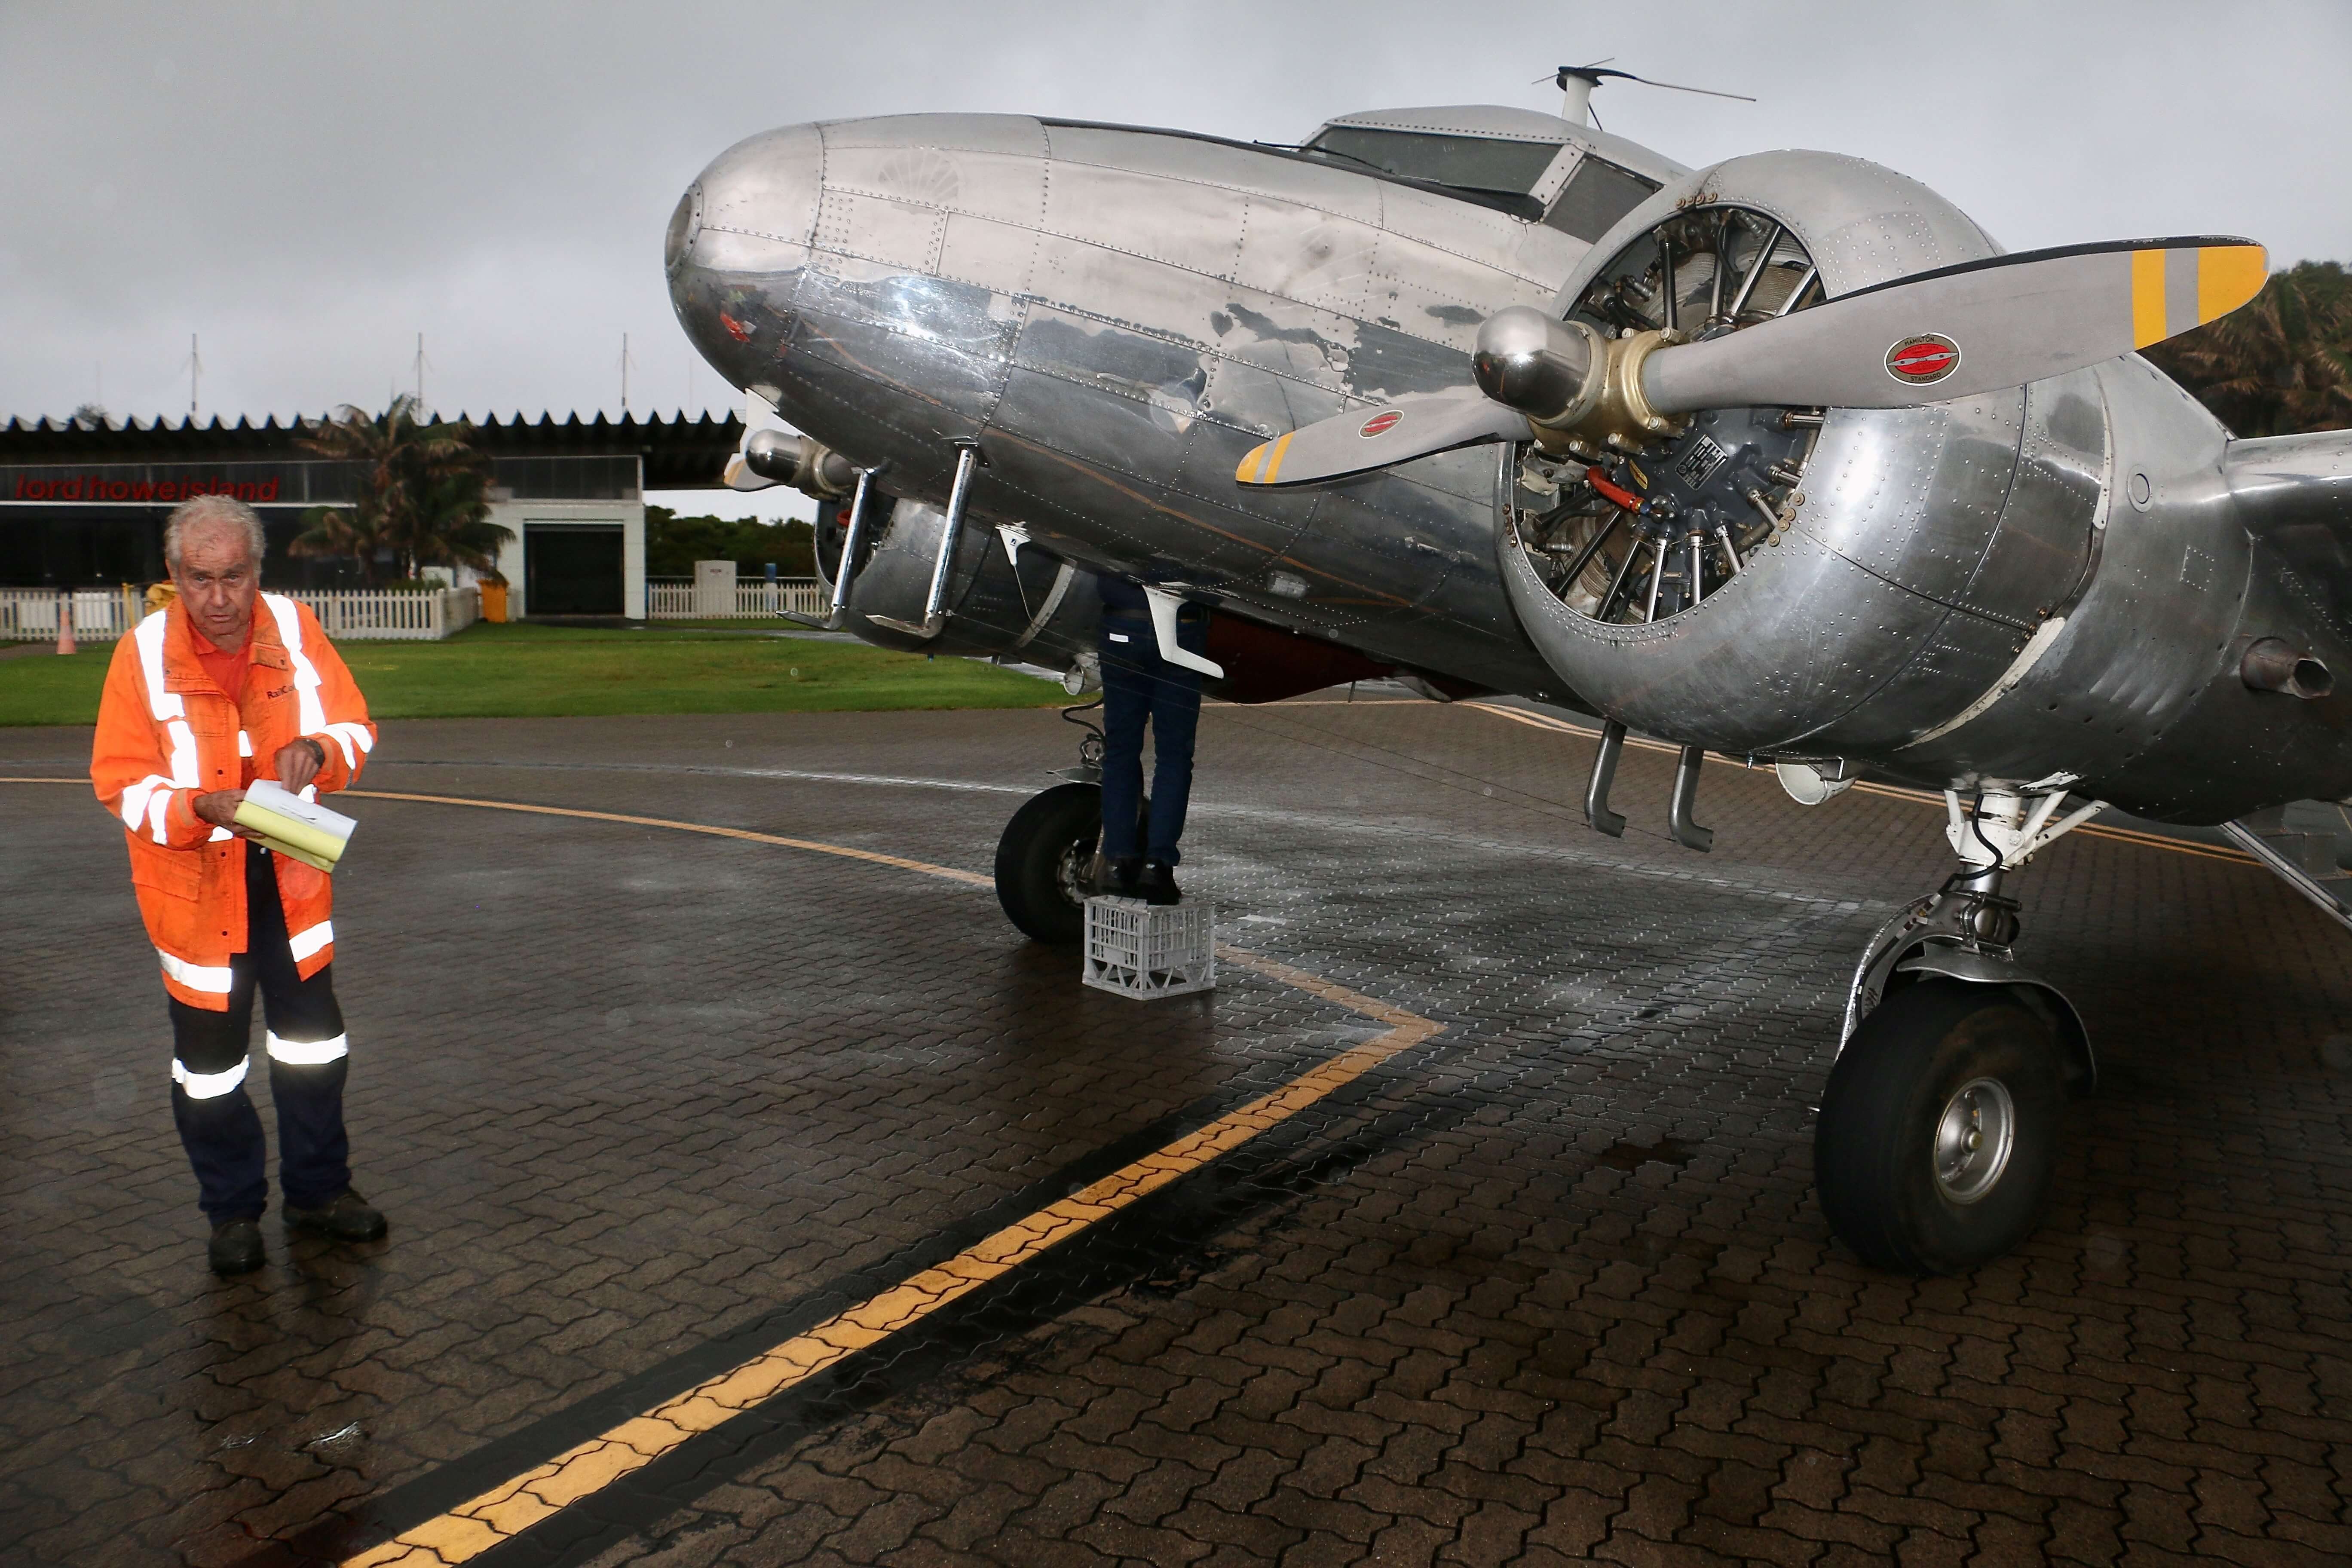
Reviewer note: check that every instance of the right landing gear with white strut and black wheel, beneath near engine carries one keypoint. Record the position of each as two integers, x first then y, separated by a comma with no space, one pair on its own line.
1939,1130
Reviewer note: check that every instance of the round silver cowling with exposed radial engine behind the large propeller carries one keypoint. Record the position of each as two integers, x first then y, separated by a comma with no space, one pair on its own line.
1935,589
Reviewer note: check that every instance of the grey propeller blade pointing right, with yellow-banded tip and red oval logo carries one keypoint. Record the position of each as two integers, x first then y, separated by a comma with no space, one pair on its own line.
1965,330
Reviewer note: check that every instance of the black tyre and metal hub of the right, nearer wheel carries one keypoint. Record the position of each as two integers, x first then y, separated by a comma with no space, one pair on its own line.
1939,1130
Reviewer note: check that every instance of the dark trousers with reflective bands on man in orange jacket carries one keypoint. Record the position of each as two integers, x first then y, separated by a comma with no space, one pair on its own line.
218,1120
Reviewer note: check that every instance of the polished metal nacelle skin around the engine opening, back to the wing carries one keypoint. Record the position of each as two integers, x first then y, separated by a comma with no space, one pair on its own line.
1967,589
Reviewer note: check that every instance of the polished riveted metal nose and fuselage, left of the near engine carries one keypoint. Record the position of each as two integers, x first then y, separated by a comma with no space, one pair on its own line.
1121,316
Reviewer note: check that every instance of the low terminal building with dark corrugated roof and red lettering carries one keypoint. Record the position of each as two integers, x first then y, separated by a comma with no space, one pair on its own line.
83,504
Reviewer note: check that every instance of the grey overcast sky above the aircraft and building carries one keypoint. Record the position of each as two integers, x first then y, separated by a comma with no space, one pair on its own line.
309,185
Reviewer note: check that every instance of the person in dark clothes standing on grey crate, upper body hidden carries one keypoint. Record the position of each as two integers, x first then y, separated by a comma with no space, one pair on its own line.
1140,859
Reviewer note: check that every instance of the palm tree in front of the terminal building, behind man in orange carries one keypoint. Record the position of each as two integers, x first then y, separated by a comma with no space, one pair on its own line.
422,495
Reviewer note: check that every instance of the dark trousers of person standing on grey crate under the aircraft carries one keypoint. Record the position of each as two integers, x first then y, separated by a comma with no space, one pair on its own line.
1142,688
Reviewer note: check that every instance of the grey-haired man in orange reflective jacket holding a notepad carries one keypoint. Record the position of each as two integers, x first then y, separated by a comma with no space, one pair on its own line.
225,688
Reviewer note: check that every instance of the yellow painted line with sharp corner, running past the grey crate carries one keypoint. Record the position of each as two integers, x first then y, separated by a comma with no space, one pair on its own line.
580,1473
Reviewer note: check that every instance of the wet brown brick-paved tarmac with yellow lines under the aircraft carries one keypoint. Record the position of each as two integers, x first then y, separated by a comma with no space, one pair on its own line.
733,1130
